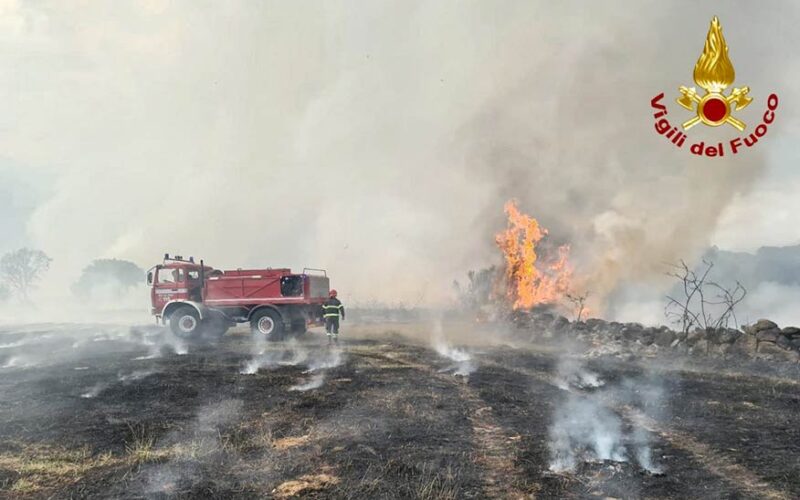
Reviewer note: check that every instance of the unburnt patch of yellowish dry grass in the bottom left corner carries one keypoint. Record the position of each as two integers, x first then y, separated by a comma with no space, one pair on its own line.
42,468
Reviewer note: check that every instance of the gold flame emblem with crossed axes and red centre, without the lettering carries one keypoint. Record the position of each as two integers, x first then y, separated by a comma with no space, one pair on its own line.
714,72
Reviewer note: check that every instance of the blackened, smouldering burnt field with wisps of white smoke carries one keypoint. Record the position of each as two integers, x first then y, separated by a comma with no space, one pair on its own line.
99,411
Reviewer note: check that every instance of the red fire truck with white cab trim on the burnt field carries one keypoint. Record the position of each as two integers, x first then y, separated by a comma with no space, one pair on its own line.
197,300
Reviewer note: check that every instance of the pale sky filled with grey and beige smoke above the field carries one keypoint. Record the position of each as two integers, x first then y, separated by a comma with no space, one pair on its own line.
380,139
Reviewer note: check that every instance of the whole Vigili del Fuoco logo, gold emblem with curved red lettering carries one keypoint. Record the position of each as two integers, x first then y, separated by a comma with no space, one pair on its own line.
713,73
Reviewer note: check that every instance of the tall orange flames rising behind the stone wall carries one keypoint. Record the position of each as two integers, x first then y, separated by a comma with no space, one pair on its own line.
532,279
